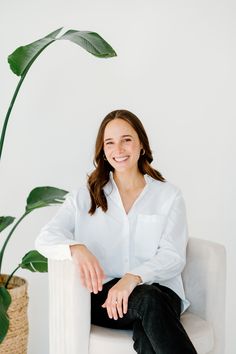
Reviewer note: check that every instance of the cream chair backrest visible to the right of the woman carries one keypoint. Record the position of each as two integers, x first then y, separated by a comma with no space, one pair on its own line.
204,280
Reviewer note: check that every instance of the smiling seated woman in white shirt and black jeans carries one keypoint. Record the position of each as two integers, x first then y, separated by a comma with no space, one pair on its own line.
126,232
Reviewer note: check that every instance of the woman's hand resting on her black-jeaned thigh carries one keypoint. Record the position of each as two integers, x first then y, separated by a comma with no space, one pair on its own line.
117,298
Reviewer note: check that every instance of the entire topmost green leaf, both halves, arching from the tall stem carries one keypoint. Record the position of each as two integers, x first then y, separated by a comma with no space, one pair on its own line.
22,58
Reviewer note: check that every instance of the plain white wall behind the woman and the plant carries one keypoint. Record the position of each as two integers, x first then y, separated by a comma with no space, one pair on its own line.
175,69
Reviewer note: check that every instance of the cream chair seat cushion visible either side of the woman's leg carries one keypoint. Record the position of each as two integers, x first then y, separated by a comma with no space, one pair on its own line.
114,341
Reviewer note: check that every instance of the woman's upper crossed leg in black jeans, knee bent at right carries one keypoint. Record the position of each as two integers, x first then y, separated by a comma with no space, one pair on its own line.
158,310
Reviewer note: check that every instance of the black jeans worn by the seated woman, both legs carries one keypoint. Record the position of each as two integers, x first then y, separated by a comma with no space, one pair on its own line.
153,314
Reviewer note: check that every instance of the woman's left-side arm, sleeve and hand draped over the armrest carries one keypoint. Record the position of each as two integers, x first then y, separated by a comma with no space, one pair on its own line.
56,241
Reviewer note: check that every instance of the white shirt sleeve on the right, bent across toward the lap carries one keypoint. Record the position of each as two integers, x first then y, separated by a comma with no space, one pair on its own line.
170,258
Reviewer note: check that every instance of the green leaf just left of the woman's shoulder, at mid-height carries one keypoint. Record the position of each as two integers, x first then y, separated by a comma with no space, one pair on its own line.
40,197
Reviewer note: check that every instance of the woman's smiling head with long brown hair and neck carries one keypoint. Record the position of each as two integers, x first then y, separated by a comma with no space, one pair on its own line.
122,146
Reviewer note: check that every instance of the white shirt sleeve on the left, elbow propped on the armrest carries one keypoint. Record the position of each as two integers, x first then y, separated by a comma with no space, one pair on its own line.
57,235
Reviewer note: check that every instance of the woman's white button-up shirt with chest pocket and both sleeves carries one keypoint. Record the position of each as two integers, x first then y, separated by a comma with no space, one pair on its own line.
149,241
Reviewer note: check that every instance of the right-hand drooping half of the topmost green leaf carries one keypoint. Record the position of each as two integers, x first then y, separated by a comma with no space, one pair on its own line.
90,41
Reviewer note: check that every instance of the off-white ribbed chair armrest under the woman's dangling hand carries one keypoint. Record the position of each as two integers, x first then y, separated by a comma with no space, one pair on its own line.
69,310
